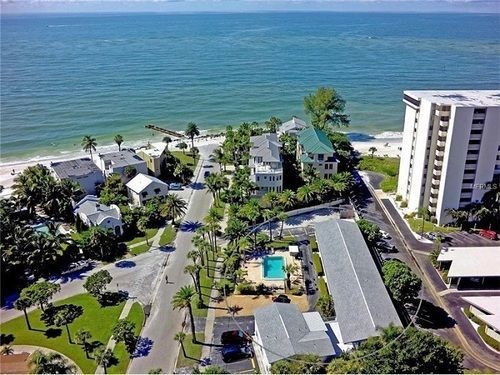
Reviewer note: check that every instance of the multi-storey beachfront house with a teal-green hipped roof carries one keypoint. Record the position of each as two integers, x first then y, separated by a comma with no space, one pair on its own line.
315,149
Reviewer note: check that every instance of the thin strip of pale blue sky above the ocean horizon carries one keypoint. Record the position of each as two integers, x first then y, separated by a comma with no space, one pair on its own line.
80,6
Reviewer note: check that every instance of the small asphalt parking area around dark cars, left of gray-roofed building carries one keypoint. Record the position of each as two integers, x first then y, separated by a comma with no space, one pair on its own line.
228,324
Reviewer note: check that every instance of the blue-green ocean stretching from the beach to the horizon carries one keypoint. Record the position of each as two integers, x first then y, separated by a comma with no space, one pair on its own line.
66,76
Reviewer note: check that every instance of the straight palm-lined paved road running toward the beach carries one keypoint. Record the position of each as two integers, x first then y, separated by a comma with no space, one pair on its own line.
164,322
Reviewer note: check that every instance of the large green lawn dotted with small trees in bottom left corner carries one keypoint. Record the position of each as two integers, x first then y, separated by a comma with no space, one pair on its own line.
98,320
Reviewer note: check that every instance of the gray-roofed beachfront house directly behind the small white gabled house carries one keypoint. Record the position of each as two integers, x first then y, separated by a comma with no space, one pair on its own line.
123,162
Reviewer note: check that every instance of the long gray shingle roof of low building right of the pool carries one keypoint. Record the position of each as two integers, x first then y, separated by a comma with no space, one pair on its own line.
362,303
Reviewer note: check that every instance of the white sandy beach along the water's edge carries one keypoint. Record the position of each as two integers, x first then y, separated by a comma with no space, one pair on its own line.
386,143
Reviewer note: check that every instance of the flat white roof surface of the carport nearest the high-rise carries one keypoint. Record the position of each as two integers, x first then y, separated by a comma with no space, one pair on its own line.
471,261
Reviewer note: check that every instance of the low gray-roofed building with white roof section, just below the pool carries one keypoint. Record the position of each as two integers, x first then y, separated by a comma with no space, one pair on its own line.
282,331
